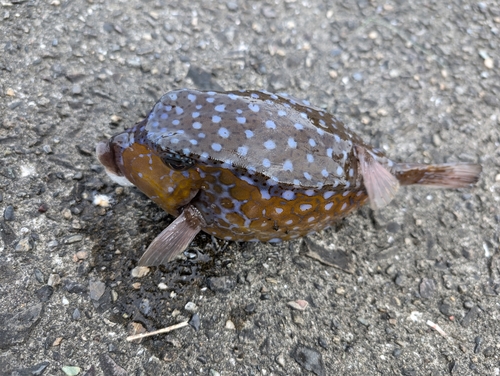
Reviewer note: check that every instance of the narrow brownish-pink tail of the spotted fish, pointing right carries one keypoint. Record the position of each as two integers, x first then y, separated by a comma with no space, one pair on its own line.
448,175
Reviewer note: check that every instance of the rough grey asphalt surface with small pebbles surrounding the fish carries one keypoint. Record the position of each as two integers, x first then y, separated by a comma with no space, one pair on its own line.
420,79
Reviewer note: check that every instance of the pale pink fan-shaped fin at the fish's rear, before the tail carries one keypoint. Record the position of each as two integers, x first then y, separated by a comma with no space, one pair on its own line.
380,184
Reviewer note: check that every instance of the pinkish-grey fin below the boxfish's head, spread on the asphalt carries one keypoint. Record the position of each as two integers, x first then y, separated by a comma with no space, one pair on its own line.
174,239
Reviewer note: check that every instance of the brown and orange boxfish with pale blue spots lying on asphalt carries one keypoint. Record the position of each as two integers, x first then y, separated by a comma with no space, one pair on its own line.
251,165
